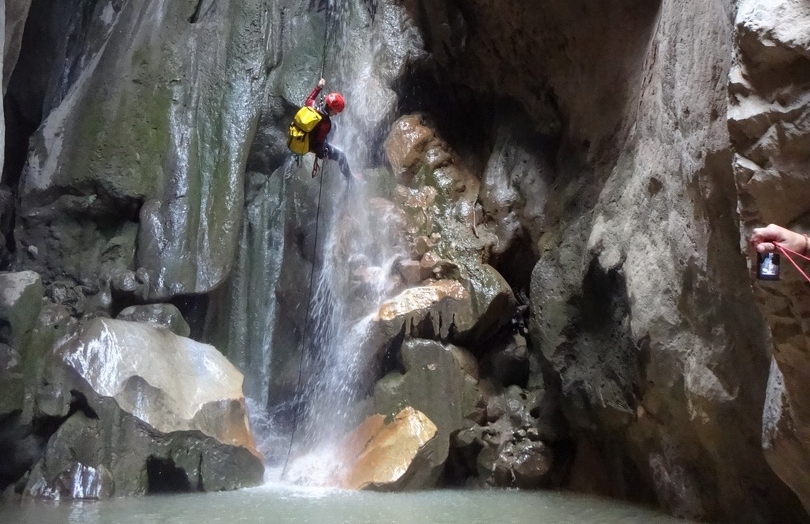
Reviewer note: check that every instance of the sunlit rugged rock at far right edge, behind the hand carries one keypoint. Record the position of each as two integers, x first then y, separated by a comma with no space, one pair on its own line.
768,127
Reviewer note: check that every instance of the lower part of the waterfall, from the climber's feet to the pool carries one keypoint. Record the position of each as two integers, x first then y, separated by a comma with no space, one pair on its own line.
354,280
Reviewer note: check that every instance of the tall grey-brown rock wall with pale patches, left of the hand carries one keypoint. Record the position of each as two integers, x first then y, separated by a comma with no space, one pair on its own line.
640,300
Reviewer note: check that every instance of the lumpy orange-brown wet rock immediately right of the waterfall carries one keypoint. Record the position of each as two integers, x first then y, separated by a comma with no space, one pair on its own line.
437,196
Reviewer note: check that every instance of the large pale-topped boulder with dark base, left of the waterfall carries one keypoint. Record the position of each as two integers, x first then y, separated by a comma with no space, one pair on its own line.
146,411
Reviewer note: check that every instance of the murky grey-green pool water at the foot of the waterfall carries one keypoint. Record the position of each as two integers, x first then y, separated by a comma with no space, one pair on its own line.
283,504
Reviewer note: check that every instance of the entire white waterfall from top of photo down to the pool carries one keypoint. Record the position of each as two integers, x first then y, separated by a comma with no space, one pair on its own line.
358,247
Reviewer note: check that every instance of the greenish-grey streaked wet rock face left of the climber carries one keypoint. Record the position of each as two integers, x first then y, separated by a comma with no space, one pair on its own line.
112,138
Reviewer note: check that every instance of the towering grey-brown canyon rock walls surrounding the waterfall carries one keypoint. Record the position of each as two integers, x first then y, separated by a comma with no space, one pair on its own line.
598,166
